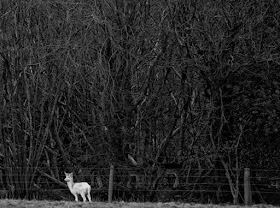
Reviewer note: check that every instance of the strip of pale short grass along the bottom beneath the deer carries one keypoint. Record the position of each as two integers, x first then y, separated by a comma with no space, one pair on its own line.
67,204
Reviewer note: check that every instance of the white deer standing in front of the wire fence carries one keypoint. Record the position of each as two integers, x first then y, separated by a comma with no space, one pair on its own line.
82,188
